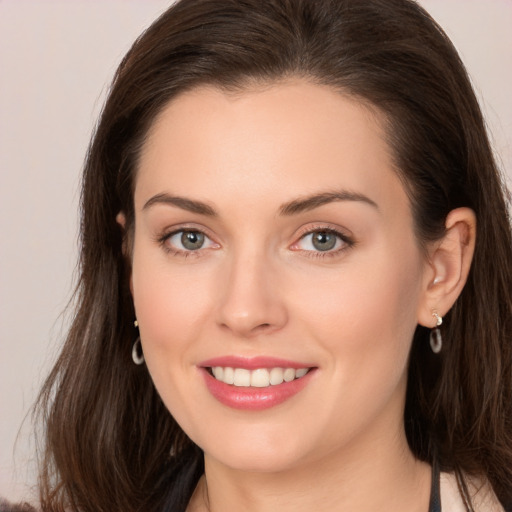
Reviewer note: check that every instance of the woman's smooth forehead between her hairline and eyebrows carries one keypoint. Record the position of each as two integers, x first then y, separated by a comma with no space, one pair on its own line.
277,141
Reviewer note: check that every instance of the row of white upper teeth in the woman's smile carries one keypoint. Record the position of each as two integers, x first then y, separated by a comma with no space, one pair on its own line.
260,378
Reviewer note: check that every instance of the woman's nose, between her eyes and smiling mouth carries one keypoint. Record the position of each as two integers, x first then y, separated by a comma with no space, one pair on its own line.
250,302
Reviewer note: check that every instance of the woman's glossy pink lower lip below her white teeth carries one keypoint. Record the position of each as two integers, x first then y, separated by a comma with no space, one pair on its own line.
254,399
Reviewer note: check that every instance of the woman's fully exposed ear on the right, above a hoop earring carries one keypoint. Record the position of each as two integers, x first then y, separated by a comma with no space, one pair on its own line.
449,262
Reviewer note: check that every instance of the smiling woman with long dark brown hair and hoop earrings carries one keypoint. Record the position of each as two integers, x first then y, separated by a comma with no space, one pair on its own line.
295,285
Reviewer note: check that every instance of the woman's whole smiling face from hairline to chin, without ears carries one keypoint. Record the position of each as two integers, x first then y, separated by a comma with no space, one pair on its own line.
273,238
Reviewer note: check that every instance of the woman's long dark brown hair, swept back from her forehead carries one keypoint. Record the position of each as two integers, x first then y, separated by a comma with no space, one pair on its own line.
110,442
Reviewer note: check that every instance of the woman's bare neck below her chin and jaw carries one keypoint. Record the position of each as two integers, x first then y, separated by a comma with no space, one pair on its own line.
383,476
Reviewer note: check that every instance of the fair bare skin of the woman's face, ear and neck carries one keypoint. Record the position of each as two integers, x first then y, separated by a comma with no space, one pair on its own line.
259,287
